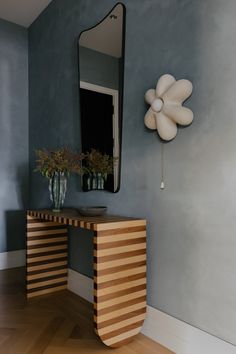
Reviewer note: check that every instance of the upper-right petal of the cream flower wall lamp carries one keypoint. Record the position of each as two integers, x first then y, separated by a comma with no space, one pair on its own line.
178,92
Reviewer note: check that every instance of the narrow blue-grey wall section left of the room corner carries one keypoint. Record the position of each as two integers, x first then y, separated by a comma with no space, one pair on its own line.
13,135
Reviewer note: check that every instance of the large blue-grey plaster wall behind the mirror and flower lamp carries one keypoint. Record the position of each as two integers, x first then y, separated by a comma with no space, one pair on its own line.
191,224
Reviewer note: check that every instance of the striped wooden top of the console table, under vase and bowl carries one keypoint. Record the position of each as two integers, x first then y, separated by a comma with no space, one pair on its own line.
95,223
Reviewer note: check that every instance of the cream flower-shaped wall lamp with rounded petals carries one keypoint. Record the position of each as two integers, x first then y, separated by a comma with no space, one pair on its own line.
166,109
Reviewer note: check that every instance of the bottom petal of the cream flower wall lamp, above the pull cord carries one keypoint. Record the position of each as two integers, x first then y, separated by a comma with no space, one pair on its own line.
166,128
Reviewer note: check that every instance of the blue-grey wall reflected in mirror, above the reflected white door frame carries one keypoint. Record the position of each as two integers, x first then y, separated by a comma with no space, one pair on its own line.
98,68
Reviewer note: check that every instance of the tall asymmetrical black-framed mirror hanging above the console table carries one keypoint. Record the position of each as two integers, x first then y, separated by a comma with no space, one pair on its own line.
101,78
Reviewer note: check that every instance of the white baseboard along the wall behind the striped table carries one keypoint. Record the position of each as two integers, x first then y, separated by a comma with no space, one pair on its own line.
173,334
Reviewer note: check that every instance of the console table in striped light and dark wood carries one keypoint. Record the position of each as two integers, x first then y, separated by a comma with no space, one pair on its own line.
119,267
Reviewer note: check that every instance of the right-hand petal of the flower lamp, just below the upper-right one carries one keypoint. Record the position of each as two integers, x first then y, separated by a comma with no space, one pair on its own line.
179,114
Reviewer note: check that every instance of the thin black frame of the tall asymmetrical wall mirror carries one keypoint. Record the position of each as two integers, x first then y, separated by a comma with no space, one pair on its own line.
121,91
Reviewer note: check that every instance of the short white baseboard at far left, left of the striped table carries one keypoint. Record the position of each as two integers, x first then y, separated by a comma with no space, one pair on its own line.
12,259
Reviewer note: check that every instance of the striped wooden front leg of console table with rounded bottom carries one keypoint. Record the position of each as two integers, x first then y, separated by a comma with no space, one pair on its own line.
119,281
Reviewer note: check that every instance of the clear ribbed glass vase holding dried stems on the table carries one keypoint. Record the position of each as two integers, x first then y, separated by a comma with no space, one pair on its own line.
57,189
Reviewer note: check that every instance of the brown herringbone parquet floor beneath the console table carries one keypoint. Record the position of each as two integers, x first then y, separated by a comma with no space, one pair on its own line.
55,324
